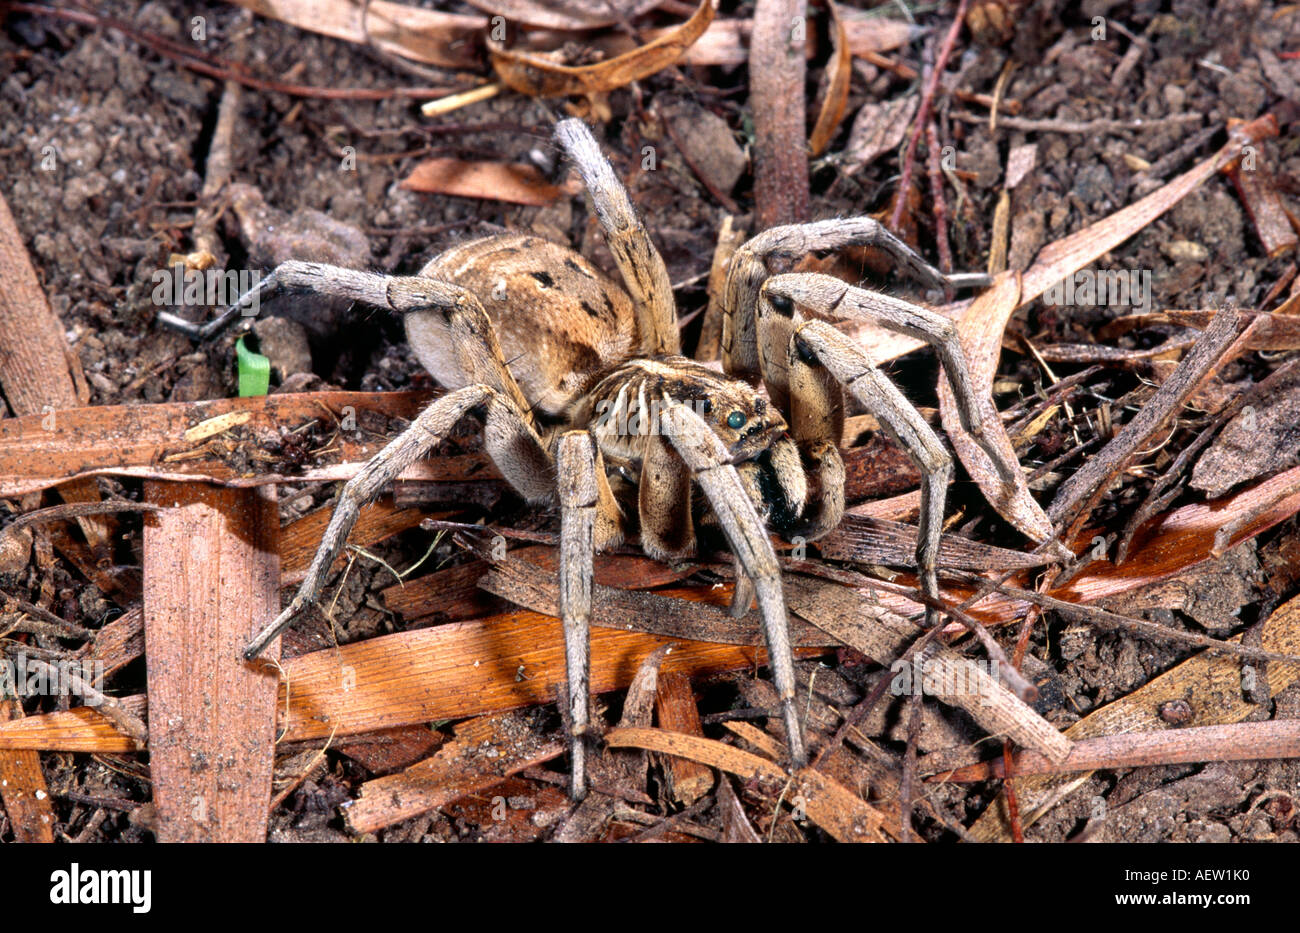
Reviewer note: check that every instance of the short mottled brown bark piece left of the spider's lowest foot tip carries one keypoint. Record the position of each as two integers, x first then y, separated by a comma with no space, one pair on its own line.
484,753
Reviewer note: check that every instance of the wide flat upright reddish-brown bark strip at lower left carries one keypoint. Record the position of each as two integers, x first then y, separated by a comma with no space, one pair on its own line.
211,579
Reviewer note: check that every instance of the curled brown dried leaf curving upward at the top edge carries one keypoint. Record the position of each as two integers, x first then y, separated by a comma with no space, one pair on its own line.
540,77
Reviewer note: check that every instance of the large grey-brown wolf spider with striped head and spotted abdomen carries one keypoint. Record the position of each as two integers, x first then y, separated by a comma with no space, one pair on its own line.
583,394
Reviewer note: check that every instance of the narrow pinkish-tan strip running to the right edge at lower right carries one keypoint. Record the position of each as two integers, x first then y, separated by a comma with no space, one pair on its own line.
1236,743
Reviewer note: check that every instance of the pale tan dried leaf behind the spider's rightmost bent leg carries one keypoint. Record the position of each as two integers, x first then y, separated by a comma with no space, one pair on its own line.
981,331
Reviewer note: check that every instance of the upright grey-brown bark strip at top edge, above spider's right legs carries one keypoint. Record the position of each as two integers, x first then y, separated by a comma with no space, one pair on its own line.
777,96
